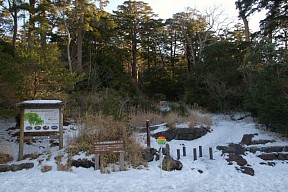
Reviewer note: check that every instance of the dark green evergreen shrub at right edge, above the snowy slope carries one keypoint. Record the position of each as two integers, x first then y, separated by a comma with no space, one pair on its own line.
266,76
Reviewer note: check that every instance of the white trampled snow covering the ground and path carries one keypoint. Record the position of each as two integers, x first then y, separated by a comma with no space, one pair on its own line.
217,175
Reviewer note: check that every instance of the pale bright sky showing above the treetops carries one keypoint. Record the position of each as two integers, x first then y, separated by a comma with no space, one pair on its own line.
166,8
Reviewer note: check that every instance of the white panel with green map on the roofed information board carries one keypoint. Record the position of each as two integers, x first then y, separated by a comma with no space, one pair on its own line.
40,120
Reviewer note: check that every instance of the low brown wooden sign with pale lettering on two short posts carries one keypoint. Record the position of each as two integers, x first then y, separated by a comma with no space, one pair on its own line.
102,147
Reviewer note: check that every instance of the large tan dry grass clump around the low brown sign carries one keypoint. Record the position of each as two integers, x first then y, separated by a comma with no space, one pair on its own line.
104,128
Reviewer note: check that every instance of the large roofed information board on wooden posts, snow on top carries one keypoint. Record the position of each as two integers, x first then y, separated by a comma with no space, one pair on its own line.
40,119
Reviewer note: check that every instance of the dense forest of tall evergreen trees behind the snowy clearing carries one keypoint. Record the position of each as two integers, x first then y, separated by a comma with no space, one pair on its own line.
111,63
